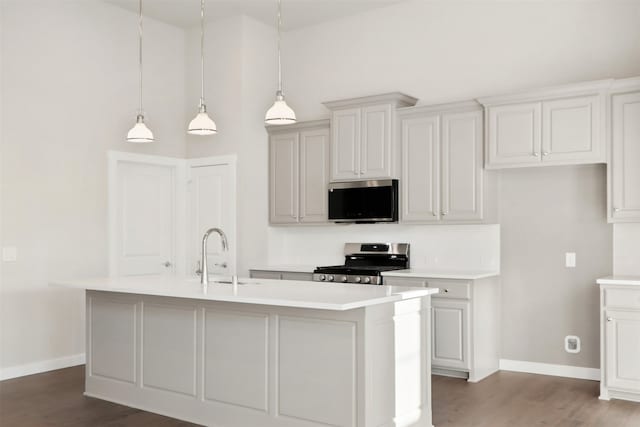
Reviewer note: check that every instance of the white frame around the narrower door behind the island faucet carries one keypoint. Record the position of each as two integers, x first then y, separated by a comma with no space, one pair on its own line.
232,161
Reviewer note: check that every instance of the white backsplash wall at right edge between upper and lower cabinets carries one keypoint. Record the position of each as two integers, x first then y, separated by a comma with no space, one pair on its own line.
626,249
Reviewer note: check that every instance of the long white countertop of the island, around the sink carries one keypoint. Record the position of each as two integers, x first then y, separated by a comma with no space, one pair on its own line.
286,293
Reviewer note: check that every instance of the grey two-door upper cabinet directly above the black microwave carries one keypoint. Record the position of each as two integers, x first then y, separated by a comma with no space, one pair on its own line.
362,144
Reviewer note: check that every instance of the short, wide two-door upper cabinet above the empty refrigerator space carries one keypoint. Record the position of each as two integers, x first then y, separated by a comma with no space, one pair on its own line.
556,126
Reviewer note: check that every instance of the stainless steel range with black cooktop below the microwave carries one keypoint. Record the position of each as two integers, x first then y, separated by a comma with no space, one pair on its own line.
364,263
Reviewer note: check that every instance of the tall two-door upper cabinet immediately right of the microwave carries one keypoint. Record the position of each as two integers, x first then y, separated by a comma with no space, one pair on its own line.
442,173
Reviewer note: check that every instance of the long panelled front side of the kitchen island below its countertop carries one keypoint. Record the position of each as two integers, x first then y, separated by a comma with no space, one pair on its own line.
249,360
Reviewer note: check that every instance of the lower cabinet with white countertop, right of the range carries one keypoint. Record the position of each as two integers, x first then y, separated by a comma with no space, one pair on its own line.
464,325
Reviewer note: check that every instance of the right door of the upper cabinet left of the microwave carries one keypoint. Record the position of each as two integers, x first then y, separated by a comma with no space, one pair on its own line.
314,175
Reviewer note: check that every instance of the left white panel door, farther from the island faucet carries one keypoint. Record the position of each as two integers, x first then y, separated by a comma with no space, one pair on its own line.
145,218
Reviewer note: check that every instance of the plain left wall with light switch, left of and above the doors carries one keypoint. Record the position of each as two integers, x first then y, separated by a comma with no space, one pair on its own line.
69,94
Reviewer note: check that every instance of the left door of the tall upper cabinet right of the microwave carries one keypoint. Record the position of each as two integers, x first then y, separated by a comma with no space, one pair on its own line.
420,159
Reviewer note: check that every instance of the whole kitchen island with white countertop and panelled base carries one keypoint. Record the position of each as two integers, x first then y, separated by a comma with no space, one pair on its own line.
261,354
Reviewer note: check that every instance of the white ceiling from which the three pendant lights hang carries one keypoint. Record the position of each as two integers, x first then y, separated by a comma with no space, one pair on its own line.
295,13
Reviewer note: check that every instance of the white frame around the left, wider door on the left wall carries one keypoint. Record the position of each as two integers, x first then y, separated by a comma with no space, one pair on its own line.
114,159
